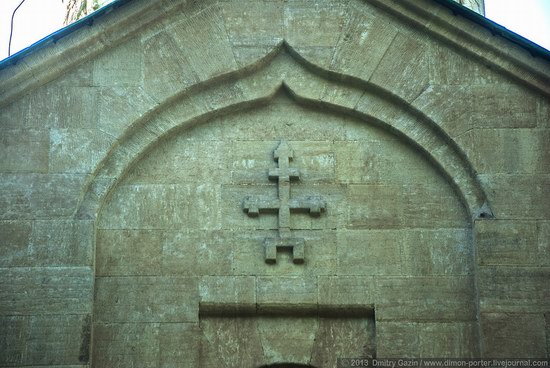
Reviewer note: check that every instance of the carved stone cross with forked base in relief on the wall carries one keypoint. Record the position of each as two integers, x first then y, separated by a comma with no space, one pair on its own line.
284,205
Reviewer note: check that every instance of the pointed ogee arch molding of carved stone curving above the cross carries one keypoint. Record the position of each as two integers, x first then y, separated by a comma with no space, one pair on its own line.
308,84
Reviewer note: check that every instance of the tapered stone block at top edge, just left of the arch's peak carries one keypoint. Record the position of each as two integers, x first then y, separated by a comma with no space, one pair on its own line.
253,24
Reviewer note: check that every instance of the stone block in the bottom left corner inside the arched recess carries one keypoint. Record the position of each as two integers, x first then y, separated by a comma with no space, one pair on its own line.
113,348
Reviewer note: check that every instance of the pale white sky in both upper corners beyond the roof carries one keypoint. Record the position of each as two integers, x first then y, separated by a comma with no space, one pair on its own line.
36,19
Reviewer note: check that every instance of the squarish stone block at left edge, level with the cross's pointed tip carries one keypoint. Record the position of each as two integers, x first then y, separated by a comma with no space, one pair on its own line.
24,151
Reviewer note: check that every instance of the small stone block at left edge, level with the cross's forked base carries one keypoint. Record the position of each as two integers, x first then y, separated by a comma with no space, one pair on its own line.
14,249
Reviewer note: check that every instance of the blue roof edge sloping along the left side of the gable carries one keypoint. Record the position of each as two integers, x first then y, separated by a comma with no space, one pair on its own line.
57,35
